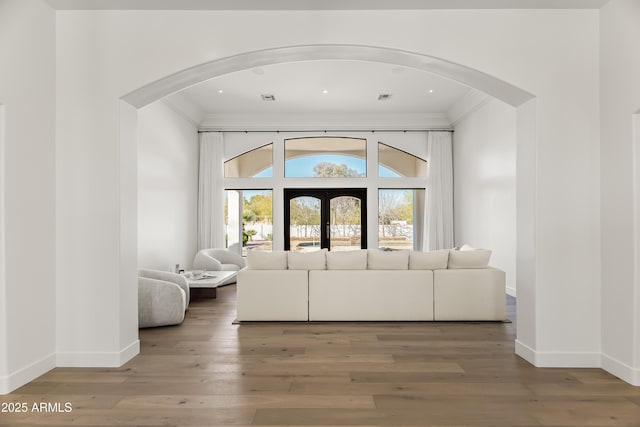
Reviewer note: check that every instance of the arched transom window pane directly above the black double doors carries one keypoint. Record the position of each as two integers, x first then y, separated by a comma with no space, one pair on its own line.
325,157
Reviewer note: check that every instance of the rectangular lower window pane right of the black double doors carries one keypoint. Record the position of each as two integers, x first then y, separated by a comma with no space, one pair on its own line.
399,218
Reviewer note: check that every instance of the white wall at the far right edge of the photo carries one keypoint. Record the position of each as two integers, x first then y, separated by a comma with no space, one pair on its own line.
620,91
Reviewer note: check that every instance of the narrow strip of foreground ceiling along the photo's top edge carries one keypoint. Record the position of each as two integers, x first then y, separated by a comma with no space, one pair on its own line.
322,4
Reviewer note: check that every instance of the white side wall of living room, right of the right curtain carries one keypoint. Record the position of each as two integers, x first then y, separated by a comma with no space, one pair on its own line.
484,176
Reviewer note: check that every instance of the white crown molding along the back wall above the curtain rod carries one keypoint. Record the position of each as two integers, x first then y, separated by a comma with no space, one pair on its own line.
308,121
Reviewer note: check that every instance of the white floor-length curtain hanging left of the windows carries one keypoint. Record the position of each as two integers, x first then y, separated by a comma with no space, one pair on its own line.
211,191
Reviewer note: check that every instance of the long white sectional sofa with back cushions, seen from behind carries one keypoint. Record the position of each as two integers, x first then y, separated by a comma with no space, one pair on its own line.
370,285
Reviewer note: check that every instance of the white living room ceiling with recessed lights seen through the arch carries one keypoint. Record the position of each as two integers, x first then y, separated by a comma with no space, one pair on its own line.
417,99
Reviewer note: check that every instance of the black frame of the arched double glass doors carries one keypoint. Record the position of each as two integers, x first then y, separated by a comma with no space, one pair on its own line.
325,195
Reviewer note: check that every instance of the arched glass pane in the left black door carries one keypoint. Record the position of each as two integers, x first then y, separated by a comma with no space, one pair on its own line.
304,224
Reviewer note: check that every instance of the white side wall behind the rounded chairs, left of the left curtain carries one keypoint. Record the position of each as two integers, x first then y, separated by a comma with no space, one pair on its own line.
167,188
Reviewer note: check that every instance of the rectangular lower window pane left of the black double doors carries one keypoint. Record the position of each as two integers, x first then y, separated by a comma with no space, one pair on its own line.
251,216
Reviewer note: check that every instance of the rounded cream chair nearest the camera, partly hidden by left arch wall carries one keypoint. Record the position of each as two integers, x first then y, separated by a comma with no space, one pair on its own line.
163,298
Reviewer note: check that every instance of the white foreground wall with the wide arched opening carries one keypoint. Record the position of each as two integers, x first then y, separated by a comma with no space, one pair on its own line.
550,53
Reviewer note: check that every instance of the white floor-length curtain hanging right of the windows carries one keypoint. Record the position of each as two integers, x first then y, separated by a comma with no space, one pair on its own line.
439,200
